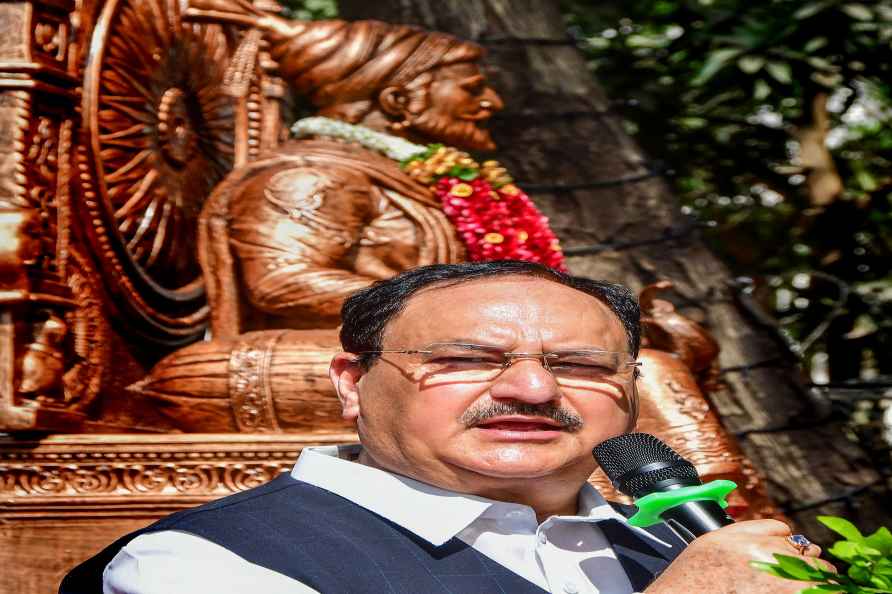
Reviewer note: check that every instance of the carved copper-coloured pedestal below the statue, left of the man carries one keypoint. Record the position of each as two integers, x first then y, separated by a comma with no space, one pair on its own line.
64,498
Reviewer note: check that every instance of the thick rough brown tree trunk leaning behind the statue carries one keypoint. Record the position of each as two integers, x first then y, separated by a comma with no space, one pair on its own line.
618,220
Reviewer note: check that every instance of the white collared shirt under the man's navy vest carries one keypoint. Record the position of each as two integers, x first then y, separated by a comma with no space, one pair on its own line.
563,554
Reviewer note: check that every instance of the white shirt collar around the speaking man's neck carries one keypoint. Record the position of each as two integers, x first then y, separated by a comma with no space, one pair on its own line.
432,513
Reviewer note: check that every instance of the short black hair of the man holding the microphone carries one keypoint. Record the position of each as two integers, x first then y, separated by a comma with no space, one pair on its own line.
366,313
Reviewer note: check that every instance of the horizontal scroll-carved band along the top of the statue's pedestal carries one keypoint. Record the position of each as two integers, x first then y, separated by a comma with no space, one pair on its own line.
132,468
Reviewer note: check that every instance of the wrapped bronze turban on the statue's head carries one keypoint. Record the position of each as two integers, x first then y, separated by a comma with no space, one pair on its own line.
340,62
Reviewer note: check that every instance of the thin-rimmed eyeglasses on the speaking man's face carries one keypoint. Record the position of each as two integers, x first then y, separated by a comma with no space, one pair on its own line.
480,363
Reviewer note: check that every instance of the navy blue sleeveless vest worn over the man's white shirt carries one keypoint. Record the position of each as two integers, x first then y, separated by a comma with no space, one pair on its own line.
338,547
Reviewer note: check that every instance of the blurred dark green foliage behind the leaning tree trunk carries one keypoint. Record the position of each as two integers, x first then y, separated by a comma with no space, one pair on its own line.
771,121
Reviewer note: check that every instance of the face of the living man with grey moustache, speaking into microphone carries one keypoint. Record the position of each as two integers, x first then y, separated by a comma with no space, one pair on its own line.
424,427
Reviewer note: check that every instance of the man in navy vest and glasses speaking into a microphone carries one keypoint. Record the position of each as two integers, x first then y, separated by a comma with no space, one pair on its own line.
478,392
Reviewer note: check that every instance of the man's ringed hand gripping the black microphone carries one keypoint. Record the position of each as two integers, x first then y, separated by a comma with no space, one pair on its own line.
718,562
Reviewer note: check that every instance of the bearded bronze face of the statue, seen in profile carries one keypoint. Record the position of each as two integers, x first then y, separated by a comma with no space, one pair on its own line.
459,104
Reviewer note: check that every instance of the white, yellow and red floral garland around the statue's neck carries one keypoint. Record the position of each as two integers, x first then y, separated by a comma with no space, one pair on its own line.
494,218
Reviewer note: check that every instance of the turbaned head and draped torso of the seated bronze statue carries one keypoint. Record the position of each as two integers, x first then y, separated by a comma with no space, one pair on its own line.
288,236
